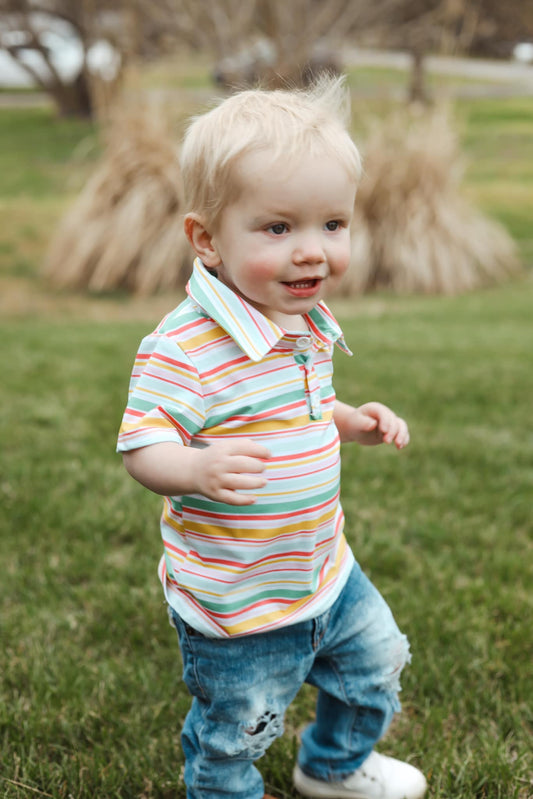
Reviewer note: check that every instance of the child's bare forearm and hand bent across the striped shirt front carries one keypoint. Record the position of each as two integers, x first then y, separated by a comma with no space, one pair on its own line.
220,471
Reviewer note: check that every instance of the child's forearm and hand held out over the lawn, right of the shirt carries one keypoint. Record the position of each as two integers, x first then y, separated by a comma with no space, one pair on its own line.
369,424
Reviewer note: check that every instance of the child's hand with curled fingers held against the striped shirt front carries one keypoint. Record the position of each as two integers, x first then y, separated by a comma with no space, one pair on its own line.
229,467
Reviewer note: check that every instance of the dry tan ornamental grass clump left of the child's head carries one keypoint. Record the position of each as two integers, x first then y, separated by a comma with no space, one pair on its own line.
125,230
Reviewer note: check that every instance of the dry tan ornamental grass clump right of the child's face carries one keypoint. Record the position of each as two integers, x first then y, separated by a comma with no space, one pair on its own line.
413,231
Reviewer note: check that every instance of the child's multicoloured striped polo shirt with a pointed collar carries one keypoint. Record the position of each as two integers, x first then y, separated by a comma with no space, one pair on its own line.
216,367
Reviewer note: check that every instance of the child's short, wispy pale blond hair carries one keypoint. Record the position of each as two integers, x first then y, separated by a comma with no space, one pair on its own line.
285,122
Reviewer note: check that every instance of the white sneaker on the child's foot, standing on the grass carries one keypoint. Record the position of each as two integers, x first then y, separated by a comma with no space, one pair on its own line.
380,777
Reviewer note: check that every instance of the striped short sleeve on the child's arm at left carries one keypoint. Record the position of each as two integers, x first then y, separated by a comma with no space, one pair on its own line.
165,401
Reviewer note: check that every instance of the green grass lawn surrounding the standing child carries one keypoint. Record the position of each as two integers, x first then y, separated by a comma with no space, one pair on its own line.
91,701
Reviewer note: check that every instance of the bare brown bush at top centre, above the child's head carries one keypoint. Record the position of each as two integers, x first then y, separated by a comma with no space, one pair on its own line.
271,41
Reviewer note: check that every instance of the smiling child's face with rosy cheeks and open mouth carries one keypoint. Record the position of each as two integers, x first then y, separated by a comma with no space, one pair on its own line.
286,240
